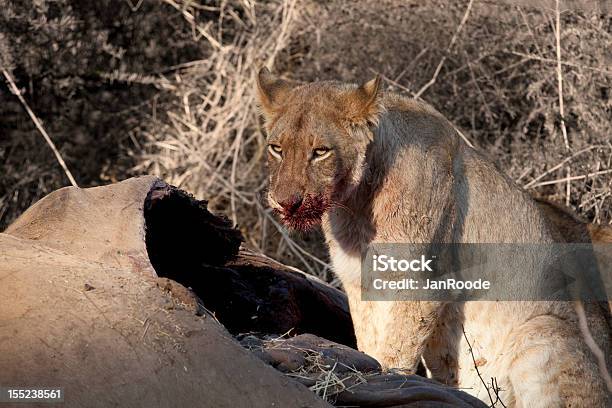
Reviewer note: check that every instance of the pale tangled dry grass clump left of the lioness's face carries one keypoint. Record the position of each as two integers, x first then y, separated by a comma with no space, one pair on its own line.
207,139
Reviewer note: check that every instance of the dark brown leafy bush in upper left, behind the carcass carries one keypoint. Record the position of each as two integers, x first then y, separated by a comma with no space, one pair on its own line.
61,54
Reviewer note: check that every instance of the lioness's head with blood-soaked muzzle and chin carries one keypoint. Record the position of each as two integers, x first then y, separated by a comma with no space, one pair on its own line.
318,134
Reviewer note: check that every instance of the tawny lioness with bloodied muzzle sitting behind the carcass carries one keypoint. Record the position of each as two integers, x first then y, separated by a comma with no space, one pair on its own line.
377,167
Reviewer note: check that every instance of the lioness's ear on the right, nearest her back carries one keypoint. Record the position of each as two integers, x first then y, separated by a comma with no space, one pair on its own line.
364,103
